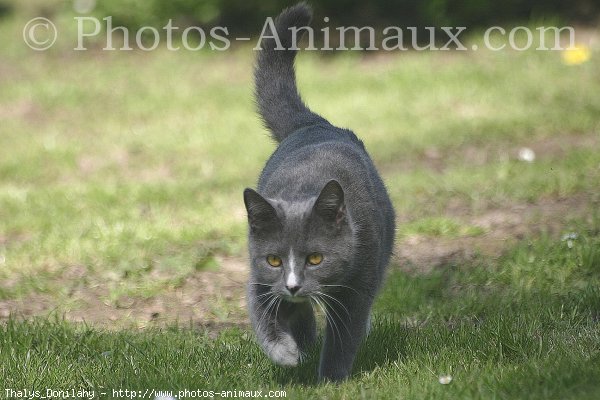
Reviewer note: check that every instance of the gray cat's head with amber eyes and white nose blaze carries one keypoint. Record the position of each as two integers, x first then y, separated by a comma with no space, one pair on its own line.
299,249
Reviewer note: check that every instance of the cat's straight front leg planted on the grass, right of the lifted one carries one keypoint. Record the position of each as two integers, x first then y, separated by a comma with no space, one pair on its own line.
348,320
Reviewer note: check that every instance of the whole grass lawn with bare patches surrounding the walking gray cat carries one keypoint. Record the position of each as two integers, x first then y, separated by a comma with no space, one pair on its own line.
120,205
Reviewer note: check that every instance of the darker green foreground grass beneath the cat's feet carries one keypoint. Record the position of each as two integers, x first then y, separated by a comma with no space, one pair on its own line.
525,326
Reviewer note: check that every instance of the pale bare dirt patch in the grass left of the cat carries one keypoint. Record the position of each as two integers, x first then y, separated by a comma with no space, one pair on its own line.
213,299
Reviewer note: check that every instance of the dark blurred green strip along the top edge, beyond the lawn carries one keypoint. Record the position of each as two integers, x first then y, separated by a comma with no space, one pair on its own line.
246,16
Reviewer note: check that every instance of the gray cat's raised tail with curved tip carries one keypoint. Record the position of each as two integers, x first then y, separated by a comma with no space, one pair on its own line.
279,102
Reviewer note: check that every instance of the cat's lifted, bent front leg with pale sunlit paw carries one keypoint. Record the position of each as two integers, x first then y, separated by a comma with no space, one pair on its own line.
283,329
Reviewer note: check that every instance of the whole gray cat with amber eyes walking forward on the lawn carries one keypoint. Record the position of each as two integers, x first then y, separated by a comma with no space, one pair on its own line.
321,225
